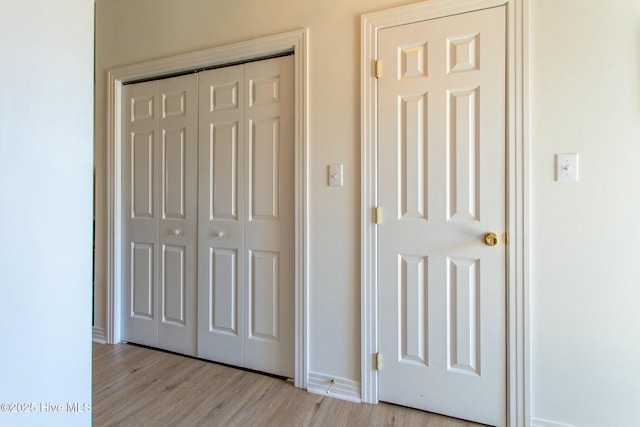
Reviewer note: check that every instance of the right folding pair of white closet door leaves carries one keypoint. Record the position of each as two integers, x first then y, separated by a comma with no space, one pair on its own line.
245,216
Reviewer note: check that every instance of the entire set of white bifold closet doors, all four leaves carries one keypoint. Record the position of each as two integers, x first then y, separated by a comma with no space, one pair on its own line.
208,165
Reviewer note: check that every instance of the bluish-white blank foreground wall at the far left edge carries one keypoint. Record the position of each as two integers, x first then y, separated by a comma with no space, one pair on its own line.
46,190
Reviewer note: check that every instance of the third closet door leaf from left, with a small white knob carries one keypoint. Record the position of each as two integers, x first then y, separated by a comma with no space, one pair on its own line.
221,208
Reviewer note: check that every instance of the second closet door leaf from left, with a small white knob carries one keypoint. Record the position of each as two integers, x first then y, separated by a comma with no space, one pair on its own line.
177,236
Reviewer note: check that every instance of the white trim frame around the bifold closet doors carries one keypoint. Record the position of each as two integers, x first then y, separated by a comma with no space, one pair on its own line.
295,42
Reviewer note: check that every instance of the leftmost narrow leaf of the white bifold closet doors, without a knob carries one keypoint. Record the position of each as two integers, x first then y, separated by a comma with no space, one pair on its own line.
139,213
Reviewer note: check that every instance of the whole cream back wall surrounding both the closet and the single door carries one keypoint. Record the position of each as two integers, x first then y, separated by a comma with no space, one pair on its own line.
585,98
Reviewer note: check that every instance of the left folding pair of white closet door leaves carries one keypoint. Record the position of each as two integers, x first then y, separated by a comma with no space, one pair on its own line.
159,202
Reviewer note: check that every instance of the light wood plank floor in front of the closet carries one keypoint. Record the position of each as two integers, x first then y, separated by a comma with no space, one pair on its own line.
135,386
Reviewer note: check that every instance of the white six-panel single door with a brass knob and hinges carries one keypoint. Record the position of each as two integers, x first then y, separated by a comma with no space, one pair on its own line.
441,166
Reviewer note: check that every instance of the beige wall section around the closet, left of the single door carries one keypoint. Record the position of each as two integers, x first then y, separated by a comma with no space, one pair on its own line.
134,31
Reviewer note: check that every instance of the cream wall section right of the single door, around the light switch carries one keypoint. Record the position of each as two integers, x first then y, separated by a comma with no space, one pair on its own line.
585,98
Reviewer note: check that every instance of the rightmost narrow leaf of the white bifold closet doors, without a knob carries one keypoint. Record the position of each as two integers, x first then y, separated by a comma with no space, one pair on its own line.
269,220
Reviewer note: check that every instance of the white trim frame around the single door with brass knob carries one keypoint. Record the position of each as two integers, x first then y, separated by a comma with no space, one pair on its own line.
517,190
